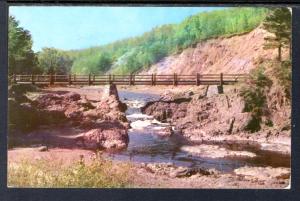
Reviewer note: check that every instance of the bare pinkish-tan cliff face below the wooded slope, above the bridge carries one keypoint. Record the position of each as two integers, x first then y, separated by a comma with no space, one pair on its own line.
236,54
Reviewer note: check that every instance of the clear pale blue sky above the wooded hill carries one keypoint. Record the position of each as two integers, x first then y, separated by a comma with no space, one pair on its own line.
82,27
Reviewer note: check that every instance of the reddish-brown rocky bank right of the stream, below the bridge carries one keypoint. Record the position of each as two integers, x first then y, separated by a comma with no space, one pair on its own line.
216,117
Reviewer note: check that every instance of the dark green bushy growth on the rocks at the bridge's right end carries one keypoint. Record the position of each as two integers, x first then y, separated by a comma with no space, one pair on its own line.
254,95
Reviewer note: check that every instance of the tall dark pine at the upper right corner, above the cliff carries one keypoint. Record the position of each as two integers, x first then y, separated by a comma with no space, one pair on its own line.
278,22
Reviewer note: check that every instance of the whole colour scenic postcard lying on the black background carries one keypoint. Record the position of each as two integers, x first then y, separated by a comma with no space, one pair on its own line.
149,97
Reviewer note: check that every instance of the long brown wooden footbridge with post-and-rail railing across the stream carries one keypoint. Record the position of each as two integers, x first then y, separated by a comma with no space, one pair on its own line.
153,79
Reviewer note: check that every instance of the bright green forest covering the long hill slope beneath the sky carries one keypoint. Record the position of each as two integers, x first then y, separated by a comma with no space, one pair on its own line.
135,54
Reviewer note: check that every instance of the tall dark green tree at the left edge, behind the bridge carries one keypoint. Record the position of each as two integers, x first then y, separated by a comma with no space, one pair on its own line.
21,58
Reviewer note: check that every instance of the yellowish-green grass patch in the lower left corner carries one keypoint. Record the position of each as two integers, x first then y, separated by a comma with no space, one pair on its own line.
99,173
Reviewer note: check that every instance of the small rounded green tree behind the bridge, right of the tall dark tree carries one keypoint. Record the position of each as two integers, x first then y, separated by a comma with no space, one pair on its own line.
53,61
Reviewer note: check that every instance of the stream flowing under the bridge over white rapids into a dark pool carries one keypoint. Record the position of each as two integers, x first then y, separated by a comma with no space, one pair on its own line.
148,146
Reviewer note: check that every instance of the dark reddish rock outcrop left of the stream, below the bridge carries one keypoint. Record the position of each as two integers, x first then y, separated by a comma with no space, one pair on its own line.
82,123
